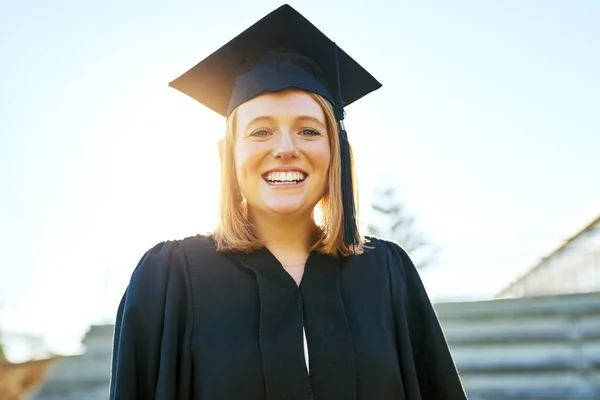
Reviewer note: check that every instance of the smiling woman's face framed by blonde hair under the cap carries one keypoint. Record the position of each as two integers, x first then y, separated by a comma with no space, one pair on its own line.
282,152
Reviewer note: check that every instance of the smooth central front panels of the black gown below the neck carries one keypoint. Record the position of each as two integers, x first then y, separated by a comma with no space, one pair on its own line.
316,305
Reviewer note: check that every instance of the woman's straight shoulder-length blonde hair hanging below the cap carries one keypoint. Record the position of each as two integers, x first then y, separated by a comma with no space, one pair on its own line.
234,230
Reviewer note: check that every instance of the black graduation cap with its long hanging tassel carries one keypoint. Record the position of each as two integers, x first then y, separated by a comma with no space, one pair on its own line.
283,50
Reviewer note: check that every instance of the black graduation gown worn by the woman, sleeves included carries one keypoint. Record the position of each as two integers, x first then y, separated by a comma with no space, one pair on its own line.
195,323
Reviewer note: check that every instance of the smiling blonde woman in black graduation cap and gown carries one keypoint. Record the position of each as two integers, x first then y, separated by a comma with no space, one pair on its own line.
279,302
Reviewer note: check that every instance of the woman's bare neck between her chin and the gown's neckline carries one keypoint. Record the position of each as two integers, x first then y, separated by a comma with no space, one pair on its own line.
288,238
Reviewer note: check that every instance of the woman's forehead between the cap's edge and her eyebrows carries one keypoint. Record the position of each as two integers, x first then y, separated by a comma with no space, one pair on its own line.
288,104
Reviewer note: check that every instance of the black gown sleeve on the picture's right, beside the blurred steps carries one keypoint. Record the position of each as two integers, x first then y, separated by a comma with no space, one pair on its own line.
430,371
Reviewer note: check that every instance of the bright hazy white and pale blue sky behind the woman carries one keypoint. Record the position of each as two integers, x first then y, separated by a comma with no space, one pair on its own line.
487,123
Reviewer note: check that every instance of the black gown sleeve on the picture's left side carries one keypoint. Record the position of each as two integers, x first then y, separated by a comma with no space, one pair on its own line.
151,350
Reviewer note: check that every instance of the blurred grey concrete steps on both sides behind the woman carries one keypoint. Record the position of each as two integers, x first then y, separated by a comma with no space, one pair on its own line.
525,349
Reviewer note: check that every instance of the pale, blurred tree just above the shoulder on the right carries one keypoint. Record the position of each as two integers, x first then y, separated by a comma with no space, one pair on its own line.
391,221
